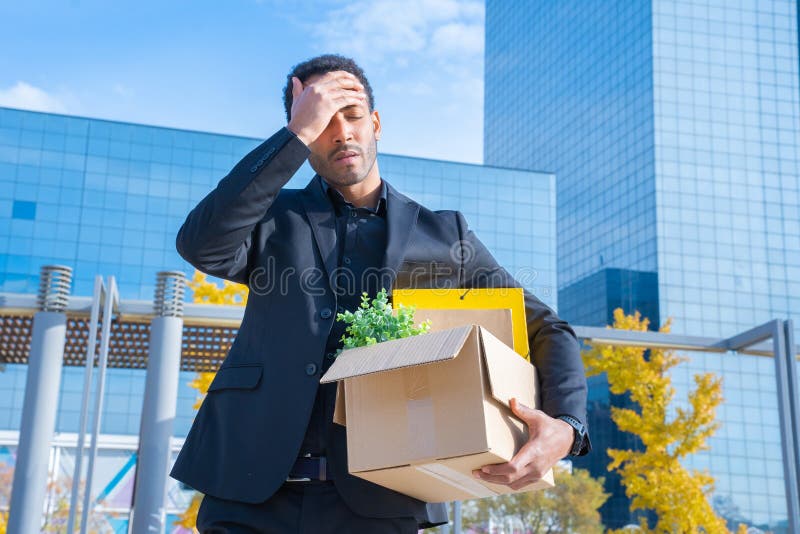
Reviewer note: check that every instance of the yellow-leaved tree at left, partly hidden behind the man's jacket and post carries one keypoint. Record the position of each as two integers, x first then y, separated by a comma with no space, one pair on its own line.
206,292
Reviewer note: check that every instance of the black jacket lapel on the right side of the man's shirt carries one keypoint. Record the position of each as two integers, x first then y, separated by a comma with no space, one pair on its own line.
401,219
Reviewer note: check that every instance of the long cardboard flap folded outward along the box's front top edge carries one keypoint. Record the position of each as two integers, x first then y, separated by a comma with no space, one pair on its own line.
398,353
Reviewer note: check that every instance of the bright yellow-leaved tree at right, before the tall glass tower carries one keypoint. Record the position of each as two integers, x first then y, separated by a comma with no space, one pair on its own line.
654,477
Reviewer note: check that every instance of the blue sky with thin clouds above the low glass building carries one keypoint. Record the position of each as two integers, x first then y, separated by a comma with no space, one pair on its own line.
220,66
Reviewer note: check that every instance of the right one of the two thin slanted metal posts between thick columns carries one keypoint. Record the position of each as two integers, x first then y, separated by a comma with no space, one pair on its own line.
111,300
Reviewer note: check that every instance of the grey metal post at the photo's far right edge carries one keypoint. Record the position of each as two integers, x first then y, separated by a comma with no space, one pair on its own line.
786,376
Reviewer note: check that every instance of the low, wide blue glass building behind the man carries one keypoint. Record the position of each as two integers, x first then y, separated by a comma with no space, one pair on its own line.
108,198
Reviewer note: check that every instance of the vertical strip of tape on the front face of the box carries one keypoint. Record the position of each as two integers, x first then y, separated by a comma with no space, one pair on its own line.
421,415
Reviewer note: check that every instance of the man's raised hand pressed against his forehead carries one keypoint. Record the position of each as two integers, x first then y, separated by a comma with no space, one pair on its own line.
315,101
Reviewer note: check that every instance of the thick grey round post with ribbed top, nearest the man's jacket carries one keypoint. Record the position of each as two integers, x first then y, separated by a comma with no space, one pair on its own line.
159,407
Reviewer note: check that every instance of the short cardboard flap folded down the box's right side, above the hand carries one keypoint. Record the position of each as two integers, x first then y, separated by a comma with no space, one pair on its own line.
509,375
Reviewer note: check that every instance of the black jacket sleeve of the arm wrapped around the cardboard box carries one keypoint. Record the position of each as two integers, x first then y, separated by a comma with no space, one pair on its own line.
554,347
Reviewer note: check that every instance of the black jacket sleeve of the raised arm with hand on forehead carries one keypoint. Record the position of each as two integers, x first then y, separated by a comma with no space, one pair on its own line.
216,237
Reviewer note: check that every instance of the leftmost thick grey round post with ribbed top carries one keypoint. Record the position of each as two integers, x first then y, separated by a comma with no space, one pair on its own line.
41,401
